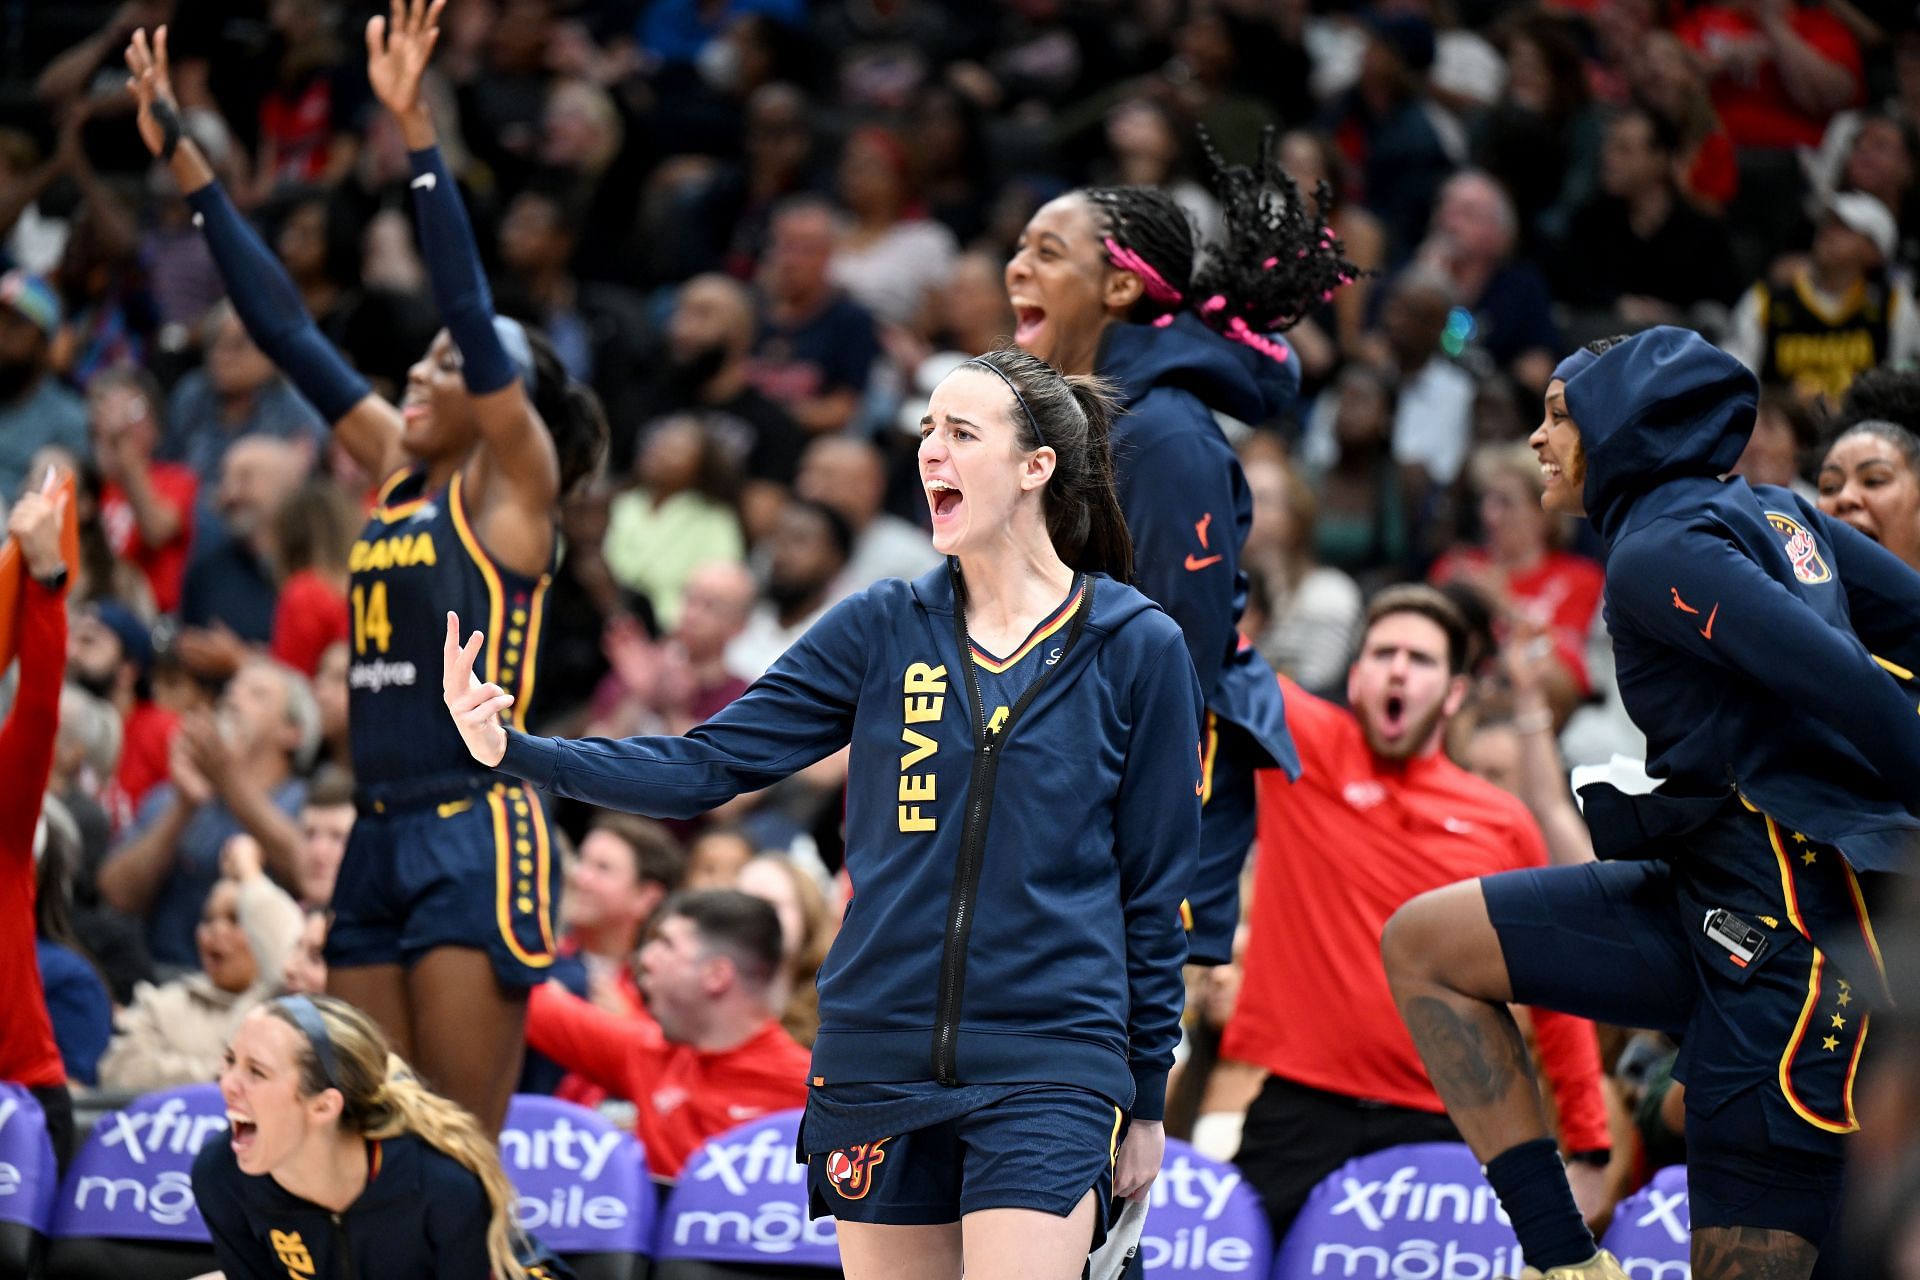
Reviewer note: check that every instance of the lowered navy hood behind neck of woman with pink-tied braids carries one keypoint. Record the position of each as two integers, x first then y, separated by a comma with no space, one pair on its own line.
1228,377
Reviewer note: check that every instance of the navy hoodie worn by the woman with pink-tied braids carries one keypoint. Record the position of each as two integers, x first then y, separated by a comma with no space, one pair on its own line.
1188,504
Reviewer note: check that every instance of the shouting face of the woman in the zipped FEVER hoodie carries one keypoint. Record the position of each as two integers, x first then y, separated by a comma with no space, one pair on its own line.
976,475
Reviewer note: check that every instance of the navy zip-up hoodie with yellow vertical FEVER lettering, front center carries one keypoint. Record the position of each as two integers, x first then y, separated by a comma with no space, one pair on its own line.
1017,895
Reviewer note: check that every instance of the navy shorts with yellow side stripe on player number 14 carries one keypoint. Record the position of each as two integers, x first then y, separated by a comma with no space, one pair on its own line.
477,872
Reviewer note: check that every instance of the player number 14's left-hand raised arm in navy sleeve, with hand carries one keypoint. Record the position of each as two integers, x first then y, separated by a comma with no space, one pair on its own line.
262,295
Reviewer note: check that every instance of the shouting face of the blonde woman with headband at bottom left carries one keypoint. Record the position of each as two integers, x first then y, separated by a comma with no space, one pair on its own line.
270,1120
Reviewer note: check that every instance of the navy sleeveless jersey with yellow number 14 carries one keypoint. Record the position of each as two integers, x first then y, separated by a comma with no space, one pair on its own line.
416,559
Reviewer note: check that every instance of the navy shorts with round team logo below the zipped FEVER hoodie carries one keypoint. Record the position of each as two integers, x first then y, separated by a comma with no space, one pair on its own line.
1040,1149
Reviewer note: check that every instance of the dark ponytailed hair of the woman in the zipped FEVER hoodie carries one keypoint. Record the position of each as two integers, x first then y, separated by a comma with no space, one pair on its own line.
1074,417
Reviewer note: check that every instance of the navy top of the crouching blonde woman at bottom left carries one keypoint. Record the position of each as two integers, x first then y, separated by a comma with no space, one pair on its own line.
423,1216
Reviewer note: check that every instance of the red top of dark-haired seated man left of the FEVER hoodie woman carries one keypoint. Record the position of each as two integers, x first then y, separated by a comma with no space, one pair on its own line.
684,1097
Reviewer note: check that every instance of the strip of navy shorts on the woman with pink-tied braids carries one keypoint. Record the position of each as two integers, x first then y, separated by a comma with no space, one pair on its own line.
1228,826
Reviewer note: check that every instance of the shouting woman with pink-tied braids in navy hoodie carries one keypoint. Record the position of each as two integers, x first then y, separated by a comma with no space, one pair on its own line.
1111,281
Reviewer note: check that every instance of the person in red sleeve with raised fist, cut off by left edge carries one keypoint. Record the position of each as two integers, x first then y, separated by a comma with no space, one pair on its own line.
28,1051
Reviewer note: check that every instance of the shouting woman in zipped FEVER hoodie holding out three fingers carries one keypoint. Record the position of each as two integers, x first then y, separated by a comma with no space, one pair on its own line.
1022,813
